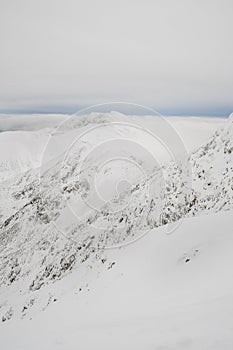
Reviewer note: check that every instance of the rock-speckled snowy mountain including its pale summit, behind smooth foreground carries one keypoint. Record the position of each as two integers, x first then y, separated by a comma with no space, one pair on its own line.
56,221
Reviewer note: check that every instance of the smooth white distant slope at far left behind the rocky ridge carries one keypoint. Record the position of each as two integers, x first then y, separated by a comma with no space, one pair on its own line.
22,141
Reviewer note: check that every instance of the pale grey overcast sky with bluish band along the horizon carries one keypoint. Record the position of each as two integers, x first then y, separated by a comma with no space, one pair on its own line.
173,55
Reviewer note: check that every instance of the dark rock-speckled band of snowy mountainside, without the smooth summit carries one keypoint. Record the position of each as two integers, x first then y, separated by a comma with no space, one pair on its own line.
36,253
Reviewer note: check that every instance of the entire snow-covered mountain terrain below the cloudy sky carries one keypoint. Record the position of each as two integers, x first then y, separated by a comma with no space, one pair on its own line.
120,240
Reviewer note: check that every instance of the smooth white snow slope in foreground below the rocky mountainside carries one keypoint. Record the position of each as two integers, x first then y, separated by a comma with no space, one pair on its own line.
170,292
